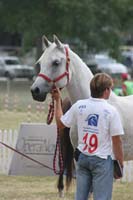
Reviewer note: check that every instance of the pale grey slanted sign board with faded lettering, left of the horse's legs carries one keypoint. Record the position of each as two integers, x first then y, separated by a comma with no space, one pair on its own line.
36,141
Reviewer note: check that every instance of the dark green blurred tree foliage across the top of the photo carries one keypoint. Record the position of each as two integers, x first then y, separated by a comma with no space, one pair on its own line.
97,23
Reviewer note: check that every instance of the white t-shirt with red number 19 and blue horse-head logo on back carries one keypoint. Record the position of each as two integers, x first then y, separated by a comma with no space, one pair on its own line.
97,122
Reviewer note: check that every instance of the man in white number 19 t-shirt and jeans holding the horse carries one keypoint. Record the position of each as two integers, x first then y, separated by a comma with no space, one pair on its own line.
99,126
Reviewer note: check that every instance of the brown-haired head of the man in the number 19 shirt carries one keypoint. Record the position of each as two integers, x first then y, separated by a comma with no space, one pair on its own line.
101,85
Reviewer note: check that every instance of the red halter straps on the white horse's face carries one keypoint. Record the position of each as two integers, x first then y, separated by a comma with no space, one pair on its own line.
66,73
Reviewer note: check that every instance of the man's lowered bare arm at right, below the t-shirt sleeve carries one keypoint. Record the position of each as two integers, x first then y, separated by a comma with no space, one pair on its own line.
117,148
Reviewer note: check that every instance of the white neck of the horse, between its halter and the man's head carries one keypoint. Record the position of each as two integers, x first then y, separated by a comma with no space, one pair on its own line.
79,85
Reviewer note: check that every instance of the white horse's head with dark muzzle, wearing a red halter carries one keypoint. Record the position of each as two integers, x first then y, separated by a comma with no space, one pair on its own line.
54,68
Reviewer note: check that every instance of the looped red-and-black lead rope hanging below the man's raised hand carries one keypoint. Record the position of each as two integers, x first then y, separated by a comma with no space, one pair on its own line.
58,144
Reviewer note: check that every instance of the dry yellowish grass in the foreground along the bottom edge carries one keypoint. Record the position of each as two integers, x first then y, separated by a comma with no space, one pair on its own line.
44,188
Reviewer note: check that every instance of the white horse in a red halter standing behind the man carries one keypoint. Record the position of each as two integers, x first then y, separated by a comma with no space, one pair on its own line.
61,66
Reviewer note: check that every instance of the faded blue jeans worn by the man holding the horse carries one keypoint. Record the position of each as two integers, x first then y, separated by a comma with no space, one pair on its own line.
94,172
